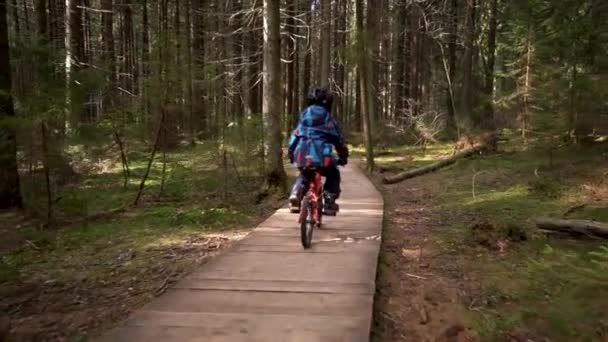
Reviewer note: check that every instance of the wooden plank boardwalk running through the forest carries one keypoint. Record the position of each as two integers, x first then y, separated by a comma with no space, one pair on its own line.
268,288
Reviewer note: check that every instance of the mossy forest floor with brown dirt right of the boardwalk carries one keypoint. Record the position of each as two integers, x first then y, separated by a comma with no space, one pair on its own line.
462,261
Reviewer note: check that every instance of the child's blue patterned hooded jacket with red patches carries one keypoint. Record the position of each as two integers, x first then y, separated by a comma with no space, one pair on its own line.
311,142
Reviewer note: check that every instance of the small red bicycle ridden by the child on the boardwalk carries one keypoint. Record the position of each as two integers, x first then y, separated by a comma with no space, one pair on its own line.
311,206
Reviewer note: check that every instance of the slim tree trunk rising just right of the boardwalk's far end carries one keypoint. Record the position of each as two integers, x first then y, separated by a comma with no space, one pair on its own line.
362,67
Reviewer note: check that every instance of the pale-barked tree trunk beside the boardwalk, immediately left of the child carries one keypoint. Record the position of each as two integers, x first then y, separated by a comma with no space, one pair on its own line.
276,176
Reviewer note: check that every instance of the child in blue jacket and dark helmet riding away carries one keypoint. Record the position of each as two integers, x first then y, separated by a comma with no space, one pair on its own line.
310,147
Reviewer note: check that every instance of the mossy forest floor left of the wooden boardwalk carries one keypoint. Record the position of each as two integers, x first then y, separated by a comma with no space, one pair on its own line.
75,279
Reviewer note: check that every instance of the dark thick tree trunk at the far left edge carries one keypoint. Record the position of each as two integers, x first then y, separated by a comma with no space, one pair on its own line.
10,195
